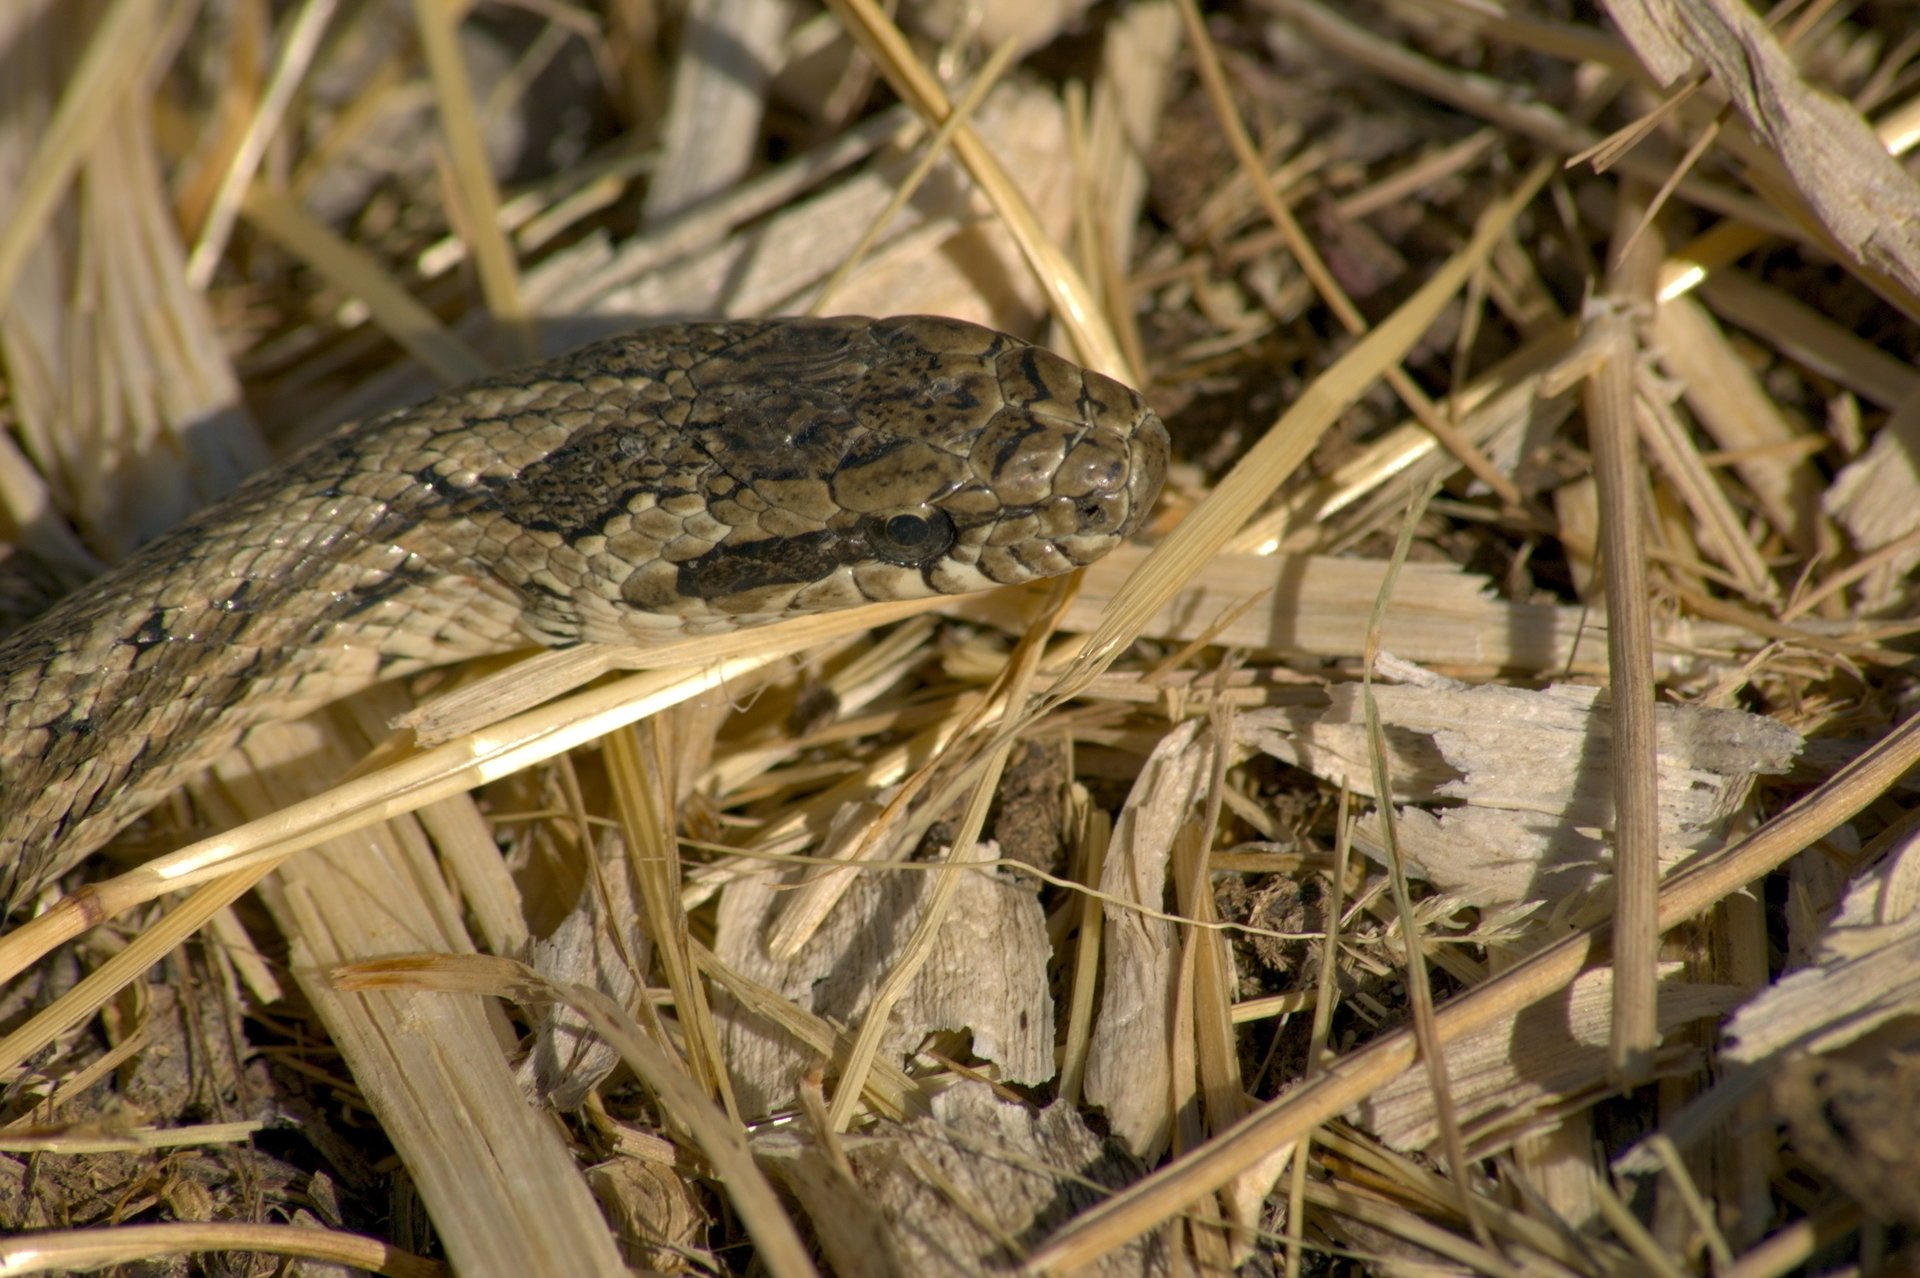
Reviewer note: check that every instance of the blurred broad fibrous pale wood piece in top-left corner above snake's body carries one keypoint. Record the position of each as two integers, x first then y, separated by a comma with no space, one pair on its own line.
116,375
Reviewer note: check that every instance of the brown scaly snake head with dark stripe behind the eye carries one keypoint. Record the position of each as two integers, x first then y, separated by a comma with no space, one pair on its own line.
784,467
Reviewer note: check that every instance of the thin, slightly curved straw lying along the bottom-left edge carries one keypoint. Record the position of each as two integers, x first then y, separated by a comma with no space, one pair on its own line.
72,1252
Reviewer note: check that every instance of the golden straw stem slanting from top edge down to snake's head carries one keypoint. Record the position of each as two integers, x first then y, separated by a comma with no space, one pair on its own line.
1070,296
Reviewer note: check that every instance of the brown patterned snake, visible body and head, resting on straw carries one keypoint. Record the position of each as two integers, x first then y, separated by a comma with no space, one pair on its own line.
677,481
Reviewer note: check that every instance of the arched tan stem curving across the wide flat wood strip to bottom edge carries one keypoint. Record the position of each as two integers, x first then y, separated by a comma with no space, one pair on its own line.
719,1139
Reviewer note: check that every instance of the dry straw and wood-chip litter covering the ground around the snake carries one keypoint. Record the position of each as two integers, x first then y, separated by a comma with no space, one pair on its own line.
1548,448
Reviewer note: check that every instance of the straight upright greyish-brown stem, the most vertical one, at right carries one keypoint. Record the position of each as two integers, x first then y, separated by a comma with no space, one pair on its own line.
1635,751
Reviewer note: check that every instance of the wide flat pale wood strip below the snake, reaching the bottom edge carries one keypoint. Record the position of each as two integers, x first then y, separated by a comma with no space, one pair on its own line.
500,1183
